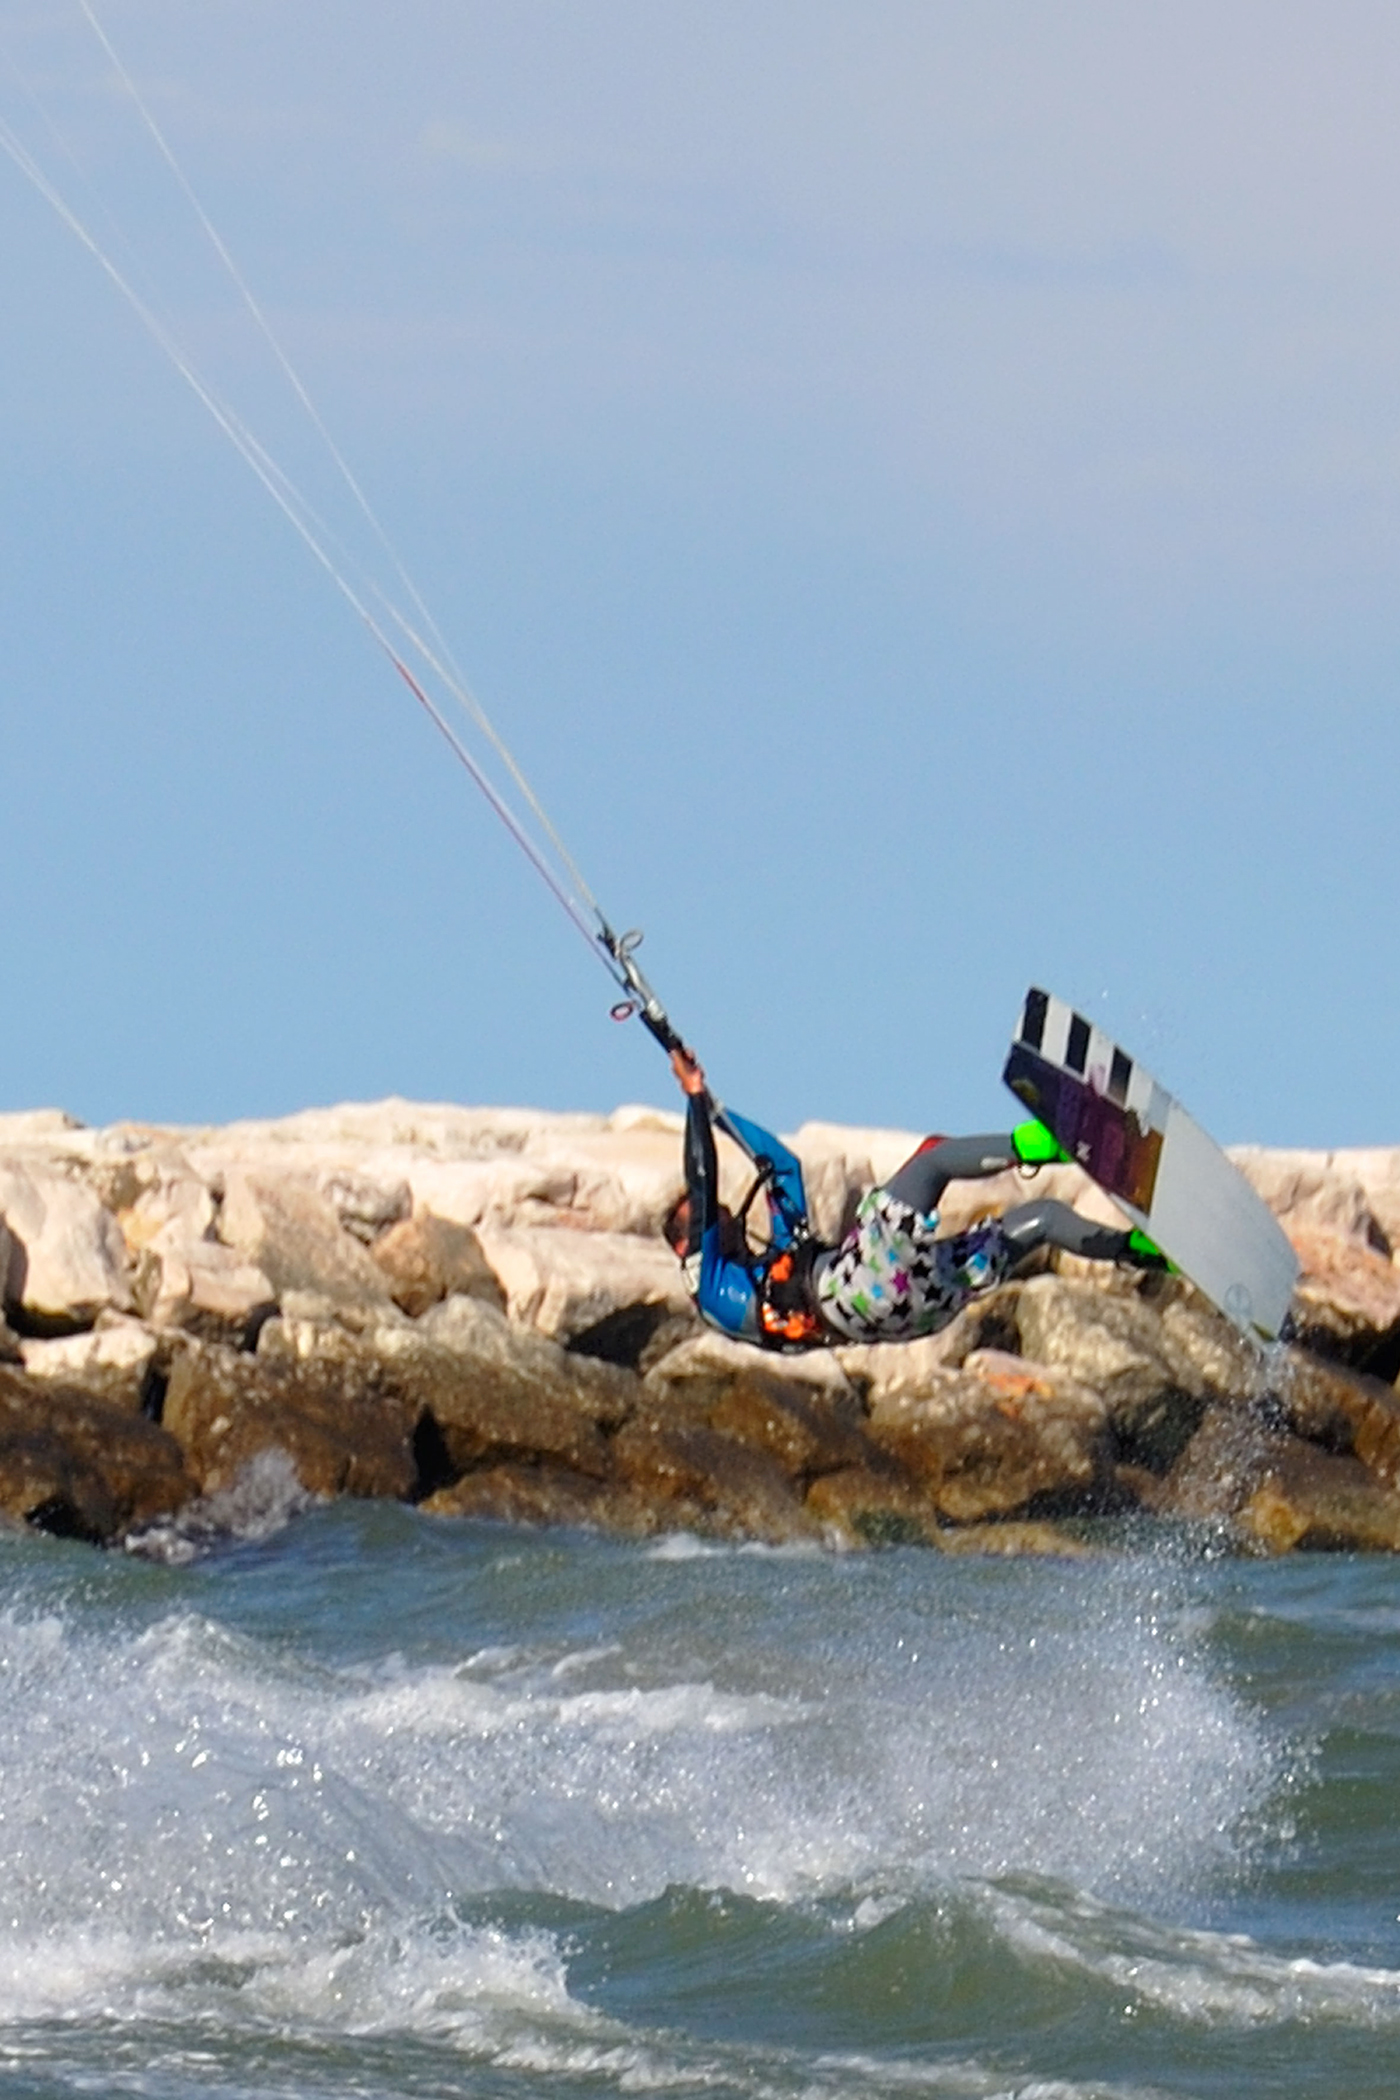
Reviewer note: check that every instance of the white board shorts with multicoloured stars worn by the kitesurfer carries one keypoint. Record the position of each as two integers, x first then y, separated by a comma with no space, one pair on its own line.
893,1280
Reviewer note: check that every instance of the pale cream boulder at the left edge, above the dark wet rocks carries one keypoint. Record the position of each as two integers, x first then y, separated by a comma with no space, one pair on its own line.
72,1259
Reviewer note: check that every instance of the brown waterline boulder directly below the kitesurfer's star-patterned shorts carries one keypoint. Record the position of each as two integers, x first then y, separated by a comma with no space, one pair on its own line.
998,1437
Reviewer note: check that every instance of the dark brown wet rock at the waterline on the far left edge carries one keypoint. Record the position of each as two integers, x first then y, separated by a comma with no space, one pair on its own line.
81,1467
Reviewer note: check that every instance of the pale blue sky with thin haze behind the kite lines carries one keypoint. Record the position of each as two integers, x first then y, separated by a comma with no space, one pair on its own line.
916,486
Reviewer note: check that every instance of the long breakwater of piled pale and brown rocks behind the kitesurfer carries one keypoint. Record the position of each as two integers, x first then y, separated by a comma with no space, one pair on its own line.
473,1309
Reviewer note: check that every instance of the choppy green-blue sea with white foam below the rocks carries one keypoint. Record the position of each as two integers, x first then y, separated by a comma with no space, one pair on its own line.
356,1803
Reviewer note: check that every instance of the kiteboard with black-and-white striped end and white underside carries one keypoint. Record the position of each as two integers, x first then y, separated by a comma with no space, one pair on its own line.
1160,1167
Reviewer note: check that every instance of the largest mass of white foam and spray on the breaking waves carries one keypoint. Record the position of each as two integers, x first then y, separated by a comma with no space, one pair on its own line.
196,1820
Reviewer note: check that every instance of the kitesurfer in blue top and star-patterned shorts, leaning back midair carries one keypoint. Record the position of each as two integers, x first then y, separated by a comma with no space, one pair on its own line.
891,1278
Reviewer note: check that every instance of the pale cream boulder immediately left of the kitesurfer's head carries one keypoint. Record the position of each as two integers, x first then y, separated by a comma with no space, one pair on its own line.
574,1284
